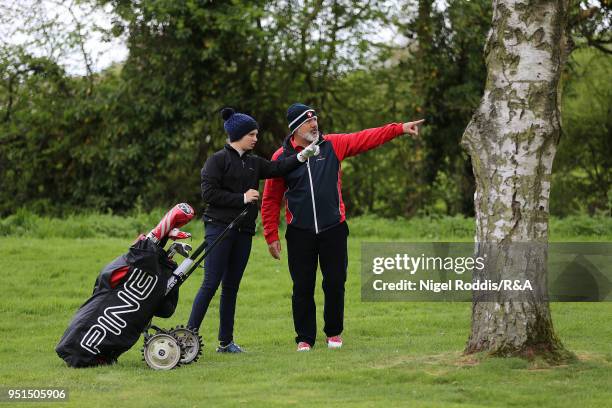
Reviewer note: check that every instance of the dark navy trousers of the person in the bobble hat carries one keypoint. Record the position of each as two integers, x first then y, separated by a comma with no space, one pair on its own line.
225,265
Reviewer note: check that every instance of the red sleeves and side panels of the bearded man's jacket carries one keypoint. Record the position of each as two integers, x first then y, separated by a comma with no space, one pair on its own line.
344,145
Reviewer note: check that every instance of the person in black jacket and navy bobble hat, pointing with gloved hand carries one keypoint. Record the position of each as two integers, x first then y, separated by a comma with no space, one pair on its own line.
230,181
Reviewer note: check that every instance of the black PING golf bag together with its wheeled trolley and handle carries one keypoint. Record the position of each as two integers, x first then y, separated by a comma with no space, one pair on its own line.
132,289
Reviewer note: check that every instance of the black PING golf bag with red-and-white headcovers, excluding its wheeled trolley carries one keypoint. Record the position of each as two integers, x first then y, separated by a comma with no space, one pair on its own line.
127,294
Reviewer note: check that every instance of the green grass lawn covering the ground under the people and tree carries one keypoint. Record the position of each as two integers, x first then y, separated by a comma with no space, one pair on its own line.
395,354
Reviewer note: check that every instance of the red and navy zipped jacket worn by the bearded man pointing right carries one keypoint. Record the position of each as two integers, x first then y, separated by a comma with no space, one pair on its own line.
313,192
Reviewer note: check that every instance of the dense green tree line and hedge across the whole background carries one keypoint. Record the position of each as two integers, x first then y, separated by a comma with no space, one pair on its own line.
137,133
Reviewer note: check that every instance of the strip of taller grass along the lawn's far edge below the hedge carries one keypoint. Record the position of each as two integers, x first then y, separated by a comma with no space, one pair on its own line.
27,224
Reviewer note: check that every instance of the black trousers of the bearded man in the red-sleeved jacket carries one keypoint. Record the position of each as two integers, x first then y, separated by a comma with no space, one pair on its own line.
305,250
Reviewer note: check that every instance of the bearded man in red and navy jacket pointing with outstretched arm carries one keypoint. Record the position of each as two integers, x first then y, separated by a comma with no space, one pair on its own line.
316,226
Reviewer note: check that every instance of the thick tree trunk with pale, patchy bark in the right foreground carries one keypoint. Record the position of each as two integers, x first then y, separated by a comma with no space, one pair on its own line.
512,140
